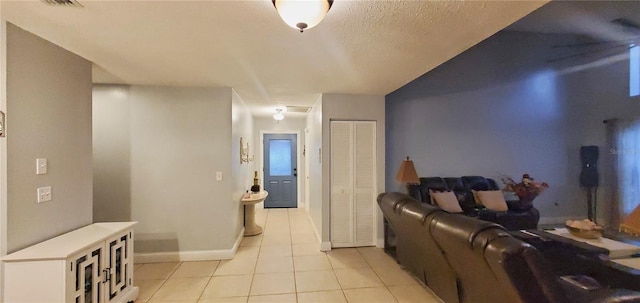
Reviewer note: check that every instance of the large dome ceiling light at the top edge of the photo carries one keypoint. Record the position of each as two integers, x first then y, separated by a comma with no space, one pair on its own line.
302,14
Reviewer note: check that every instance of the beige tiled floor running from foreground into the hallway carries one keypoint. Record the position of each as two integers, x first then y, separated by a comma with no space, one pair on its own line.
283,265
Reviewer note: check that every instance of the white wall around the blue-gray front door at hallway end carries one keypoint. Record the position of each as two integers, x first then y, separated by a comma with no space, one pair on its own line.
290,124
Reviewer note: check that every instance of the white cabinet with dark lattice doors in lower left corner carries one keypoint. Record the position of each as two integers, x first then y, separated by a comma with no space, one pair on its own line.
93,264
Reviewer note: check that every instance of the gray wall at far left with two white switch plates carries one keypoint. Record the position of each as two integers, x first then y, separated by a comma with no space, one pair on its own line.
48,115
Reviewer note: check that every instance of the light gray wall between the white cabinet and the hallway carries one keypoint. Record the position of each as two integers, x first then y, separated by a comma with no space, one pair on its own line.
178,138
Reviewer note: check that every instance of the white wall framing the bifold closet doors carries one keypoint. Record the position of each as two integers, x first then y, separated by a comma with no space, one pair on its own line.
337,107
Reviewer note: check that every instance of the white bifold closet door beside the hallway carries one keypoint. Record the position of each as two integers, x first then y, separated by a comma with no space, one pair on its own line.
353,190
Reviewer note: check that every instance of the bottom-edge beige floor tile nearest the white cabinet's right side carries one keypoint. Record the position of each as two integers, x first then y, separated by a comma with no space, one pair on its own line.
180,289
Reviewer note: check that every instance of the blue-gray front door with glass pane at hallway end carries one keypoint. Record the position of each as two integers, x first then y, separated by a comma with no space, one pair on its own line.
280,170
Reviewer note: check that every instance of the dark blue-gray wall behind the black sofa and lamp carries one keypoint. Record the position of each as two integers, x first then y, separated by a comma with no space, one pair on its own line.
501,108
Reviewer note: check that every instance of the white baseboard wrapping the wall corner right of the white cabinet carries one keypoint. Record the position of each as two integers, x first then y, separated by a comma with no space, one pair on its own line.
193,255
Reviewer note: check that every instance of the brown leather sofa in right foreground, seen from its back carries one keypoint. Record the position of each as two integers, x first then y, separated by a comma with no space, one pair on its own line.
463,259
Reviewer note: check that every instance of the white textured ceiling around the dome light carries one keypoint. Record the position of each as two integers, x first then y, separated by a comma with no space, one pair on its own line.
361,47
